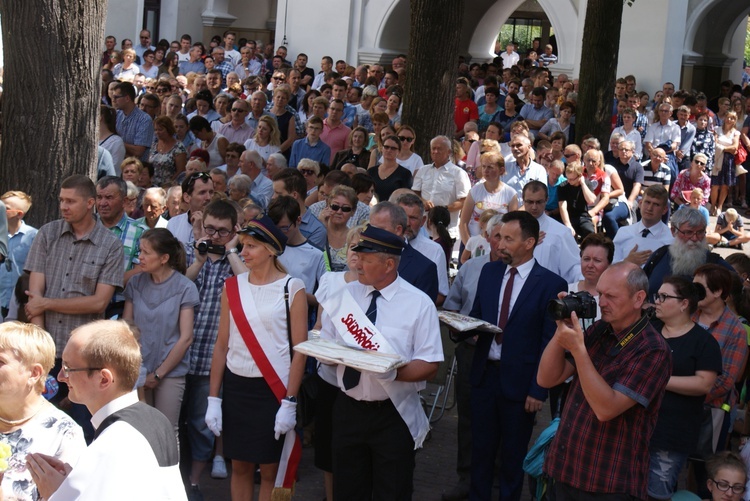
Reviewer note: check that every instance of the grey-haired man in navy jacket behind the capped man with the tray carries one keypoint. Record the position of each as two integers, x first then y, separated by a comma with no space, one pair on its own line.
414,267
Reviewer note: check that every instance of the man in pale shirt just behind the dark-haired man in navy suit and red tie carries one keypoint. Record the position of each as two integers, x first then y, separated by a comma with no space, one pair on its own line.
557,249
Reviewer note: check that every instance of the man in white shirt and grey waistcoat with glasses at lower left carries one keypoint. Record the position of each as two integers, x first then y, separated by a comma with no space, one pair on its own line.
101,363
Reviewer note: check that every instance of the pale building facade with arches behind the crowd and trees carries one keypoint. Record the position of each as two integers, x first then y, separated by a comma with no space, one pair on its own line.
693,43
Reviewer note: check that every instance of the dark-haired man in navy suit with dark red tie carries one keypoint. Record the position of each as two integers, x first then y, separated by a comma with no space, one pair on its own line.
512,293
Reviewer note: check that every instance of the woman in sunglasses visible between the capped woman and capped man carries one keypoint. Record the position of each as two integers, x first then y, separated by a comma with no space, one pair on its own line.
341,206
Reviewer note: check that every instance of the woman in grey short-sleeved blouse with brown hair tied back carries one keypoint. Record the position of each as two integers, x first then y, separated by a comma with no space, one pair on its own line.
161,301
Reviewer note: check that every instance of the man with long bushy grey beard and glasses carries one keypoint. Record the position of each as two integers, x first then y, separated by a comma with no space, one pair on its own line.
688,251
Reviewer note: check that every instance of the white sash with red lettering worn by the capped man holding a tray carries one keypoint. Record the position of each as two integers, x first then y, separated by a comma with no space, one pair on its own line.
356,330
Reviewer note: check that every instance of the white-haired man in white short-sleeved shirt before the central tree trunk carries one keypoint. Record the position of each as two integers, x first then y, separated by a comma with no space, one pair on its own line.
442,182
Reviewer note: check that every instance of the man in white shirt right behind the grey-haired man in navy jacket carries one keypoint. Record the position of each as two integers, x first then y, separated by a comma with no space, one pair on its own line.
414,208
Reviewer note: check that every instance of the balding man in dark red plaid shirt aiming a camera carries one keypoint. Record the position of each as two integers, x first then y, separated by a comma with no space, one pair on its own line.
622,365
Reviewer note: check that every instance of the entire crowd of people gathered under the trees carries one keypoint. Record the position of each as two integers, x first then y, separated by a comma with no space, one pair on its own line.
243,200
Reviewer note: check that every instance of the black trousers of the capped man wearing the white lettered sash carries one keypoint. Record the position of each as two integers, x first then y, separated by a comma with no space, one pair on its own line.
373,452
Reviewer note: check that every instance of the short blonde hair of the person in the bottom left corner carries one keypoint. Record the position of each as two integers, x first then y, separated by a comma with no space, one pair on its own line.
31,345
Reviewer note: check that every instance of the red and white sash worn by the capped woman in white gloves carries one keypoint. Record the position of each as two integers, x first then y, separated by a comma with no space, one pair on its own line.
266,358
